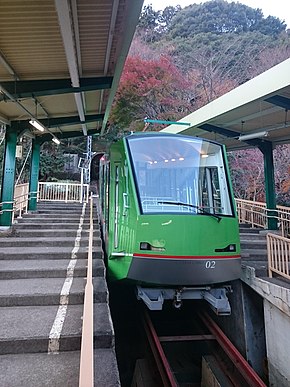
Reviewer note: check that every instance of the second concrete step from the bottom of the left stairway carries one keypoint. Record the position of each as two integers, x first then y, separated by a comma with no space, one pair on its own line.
27,328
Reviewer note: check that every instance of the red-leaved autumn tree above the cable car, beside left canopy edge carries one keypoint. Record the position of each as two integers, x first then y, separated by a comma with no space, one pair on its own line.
150,88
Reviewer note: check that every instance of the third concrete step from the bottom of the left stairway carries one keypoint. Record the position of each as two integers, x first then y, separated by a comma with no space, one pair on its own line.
46,291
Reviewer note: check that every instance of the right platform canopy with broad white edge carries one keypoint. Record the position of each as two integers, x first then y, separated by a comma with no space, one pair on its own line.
258,109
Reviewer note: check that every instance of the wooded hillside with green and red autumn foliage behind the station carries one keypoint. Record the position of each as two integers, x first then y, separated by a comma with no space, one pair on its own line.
182,59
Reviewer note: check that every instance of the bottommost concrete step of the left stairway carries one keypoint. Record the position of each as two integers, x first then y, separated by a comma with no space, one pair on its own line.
24,369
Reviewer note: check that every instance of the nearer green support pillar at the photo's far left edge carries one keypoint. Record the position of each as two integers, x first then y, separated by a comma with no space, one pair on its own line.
8,177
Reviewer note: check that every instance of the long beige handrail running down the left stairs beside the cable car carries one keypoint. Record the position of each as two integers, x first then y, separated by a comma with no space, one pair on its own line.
86,378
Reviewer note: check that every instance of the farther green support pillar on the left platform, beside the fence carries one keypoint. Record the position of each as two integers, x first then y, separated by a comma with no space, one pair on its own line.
34,172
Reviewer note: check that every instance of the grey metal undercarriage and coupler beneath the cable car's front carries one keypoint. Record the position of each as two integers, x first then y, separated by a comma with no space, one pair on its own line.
216,297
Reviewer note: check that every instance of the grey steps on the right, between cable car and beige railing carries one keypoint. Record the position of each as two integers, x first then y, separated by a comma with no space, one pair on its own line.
254,249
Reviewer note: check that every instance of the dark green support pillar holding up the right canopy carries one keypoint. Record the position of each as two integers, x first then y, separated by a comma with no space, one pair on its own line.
267,150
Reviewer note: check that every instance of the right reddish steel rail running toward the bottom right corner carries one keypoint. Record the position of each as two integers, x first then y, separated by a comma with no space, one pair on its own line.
238,360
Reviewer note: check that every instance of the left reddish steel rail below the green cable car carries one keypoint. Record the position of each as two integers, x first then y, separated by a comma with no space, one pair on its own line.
165,371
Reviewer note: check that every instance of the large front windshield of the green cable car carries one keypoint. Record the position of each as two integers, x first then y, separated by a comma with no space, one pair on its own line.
180,175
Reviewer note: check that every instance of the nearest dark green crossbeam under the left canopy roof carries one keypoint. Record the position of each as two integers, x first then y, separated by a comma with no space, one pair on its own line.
37,88
